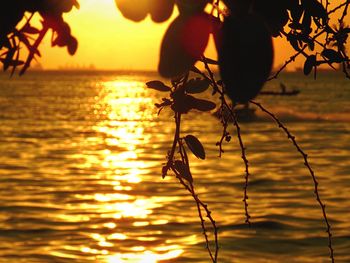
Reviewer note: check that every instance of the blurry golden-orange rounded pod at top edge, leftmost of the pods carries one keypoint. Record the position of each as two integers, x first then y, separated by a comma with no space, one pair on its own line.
133,10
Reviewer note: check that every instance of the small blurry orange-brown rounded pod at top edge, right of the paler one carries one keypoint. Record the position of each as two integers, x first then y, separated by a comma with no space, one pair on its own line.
161,10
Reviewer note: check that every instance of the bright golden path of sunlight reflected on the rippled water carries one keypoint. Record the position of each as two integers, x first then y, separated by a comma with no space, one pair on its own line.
125,113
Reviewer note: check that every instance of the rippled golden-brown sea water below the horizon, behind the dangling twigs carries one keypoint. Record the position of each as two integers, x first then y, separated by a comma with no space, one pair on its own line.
80,174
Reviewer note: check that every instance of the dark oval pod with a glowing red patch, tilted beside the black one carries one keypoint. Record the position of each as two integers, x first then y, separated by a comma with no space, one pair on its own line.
183,43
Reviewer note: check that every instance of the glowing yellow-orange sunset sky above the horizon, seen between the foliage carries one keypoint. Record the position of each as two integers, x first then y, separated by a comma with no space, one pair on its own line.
109,41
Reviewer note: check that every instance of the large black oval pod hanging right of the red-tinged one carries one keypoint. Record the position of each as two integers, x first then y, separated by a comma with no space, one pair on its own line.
245,56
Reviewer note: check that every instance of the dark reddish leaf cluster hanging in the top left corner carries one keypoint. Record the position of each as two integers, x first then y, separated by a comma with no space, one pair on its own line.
12,38
